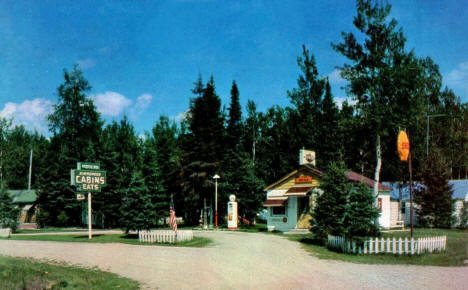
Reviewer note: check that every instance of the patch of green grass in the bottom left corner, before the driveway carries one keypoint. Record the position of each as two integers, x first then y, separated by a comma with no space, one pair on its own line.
19,273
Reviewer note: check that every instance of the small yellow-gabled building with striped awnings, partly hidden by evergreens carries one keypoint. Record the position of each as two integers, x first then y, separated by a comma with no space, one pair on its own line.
290,199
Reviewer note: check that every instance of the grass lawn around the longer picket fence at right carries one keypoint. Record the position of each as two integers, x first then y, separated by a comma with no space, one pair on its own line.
455,255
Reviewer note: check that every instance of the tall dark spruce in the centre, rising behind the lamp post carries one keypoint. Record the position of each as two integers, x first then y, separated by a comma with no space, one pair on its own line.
203,149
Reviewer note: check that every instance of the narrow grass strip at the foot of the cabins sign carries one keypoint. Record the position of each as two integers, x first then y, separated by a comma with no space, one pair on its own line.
117,238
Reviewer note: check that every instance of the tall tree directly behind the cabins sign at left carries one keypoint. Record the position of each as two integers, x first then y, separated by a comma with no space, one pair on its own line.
75,125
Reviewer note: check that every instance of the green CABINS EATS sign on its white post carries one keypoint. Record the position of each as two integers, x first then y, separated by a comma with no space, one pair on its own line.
88,177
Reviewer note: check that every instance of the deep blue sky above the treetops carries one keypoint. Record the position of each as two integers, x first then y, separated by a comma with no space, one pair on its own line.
142,57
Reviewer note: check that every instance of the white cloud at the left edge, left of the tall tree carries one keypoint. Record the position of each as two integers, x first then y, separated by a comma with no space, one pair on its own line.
30,113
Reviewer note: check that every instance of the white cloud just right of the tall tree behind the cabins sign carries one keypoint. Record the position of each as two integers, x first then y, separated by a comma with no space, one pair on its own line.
111,103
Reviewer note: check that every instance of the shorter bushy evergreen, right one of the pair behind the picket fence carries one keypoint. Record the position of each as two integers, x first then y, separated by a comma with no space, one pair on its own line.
360,213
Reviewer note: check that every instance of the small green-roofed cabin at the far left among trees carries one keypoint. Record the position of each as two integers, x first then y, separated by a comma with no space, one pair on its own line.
25,200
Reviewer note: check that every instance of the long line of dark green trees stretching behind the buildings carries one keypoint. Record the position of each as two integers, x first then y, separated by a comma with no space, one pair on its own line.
391,86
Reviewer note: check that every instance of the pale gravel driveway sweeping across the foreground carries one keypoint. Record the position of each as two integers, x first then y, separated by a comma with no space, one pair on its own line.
238,261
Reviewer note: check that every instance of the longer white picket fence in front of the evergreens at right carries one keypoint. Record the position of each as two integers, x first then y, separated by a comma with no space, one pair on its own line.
390,245
